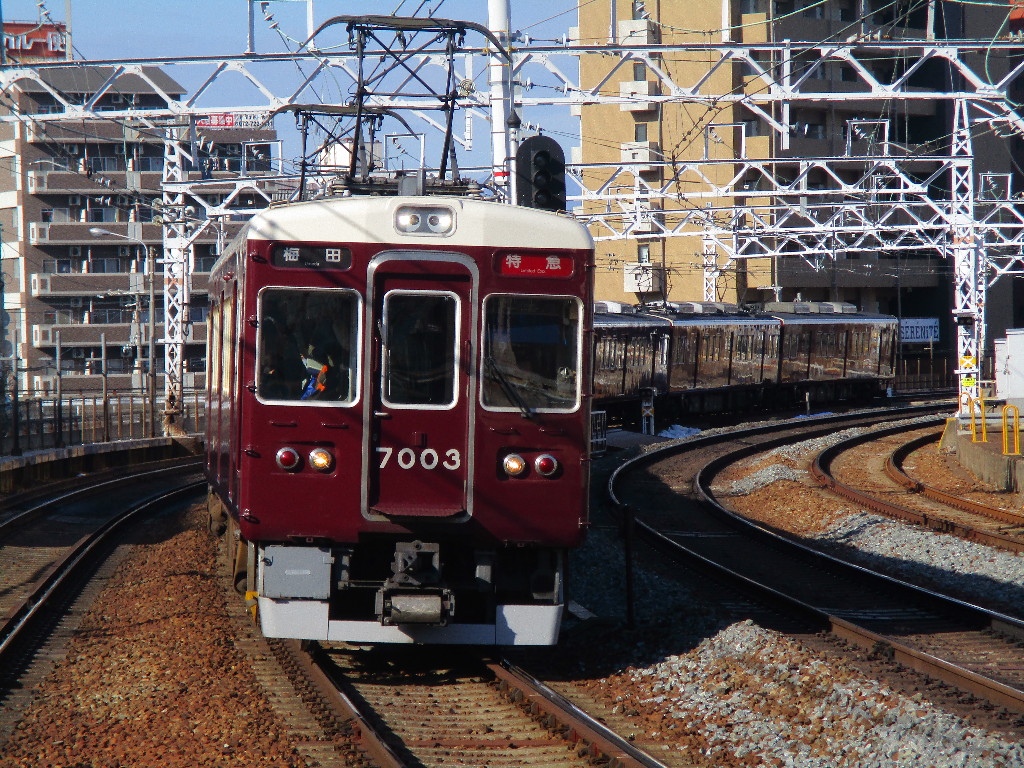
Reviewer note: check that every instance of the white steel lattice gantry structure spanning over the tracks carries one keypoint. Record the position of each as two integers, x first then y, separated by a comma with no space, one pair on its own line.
885,199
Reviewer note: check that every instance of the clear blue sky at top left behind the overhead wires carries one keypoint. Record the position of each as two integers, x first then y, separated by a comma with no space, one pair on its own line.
129,29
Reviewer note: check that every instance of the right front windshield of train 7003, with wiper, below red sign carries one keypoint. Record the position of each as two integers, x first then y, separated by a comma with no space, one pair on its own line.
532,354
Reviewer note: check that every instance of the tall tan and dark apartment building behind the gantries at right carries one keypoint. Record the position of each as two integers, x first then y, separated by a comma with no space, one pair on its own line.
648,267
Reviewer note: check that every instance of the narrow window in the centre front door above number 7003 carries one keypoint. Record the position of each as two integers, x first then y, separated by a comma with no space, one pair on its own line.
421,340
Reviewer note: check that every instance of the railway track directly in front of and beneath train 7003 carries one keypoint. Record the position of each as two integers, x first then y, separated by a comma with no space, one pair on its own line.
430,707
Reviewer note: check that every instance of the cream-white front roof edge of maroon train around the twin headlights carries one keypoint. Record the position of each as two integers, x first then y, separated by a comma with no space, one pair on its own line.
372,220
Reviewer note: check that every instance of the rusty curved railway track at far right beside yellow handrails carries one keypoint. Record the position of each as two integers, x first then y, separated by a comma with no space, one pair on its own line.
893,493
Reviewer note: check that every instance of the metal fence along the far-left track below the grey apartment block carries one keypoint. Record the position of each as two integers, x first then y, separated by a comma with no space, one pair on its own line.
39,423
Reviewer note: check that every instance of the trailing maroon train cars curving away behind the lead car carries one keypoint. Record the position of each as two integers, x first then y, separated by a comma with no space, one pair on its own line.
728,361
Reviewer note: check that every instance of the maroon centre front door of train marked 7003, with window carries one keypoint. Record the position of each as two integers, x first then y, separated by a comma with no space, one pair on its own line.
419,411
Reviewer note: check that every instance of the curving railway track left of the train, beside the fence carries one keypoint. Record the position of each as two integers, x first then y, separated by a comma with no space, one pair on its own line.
52,546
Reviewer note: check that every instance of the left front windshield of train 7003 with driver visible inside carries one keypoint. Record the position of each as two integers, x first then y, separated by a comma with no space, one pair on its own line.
308,342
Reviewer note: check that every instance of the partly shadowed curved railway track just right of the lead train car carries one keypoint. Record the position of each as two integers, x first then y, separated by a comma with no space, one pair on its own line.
971,649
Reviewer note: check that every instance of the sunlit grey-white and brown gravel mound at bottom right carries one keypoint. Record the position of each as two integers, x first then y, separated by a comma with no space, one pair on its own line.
746,686
